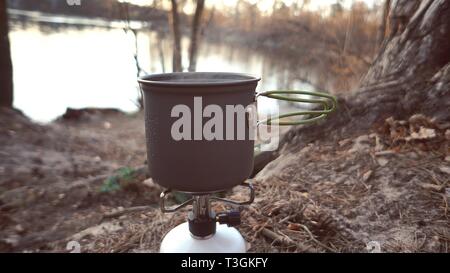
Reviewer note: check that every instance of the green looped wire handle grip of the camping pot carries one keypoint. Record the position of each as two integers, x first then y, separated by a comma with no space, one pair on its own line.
327,101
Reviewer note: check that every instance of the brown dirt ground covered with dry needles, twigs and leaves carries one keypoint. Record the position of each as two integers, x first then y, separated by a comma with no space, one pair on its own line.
74,179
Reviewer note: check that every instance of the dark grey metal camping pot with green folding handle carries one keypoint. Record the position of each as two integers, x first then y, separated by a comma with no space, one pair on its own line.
194,164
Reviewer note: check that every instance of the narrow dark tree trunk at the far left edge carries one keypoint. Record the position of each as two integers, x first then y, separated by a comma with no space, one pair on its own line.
6,79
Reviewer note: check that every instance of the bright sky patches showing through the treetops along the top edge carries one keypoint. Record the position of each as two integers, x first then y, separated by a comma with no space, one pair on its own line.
265,5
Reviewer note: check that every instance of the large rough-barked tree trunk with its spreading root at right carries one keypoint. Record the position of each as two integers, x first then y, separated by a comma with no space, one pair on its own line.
411,74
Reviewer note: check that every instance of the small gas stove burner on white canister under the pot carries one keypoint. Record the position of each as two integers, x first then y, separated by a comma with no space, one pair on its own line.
206,231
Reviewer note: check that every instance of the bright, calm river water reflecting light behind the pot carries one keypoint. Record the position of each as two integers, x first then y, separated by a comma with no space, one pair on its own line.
92,65
